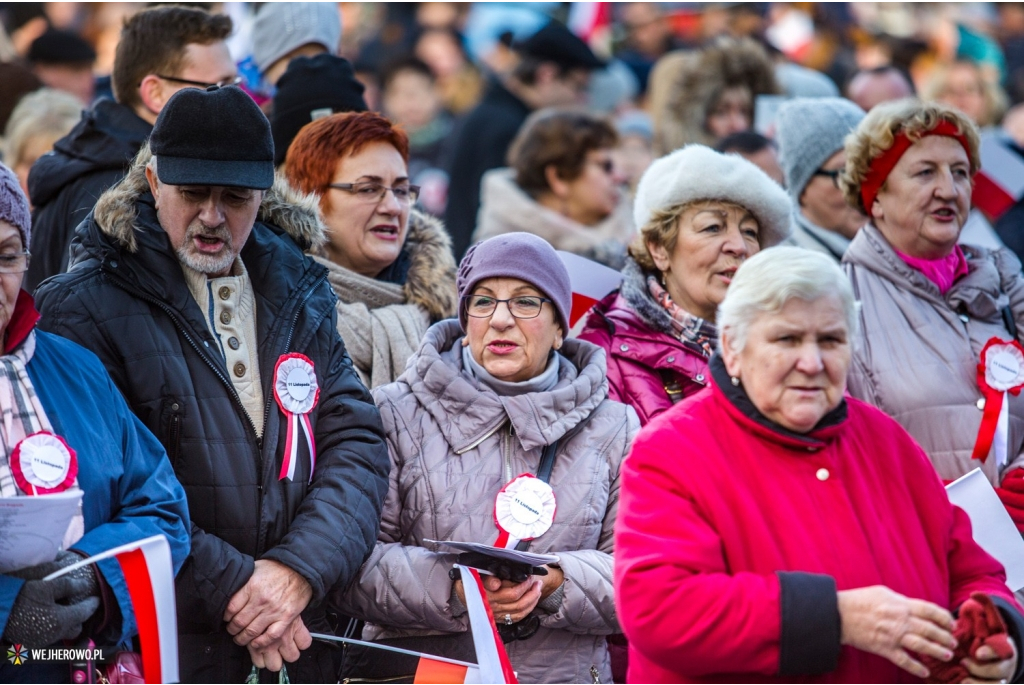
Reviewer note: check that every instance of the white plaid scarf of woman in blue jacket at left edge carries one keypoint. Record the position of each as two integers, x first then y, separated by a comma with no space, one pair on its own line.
22,414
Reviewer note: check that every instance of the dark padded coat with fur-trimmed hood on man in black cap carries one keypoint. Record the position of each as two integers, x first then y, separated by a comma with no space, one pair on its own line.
135,310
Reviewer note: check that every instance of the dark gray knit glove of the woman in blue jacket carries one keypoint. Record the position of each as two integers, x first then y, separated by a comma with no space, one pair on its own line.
44,614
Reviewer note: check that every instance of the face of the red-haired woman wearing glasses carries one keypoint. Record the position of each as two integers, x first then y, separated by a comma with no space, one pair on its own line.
366,233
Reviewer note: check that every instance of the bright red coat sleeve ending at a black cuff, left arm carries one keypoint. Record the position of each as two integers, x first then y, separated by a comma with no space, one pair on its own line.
676,602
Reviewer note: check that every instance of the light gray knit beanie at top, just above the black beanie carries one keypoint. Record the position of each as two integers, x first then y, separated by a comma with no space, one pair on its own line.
283,27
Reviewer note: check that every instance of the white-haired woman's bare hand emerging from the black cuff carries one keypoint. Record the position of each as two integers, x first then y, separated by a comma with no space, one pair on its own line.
879,621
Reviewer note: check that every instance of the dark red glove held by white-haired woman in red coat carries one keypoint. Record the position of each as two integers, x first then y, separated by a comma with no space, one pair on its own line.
979,624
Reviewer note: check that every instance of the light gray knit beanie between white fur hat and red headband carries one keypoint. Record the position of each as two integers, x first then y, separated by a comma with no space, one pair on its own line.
809,131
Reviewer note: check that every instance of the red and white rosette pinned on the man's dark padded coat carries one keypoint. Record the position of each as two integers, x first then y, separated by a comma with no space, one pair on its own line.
296,391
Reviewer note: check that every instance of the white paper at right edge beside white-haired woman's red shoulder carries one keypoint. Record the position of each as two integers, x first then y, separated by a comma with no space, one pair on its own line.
994,530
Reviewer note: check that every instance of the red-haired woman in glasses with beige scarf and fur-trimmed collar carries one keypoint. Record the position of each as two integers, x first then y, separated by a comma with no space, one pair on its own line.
392,267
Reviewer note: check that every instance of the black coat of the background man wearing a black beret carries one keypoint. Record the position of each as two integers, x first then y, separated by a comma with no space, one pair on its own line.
482,145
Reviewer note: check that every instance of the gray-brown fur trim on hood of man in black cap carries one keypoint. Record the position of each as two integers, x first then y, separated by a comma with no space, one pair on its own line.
296,213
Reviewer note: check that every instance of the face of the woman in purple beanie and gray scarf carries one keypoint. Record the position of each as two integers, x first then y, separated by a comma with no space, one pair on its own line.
513,350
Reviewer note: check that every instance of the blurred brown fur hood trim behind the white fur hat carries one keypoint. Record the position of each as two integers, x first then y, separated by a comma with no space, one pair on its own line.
686,84
